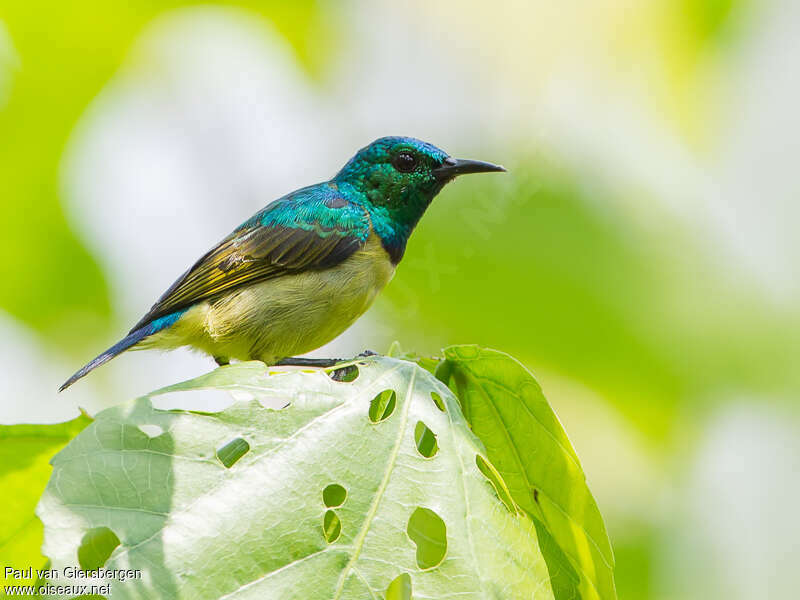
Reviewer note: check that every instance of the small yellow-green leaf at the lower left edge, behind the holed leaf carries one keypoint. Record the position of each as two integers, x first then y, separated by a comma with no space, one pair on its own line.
25,452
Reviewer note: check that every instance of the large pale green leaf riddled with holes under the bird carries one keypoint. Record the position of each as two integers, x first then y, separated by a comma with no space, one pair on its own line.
325,503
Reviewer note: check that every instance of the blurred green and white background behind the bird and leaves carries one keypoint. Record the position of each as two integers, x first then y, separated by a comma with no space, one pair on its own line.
640,256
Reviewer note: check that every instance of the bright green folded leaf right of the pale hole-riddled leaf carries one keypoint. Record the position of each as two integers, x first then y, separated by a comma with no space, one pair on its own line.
526,444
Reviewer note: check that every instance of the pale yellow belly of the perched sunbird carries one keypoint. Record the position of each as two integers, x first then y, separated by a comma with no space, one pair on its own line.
286,316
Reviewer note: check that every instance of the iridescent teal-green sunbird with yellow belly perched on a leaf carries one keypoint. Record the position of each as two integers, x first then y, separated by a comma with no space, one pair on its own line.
304,268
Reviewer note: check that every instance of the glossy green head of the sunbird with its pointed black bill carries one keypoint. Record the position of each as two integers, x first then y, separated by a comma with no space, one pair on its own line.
403,174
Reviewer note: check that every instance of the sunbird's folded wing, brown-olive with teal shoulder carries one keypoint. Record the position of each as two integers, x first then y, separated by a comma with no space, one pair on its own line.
314,231
